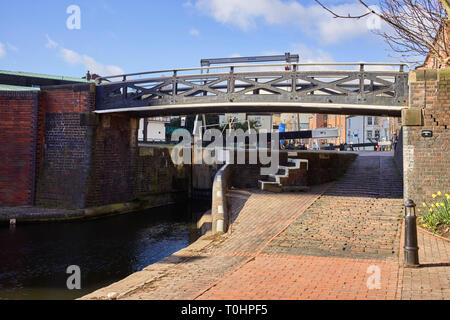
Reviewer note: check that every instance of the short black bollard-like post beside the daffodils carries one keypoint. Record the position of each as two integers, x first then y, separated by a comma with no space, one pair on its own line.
411,249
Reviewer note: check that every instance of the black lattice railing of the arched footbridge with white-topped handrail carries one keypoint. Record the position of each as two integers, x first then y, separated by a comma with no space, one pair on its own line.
384,84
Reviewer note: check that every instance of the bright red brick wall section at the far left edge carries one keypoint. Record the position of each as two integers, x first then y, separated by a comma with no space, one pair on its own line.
18,125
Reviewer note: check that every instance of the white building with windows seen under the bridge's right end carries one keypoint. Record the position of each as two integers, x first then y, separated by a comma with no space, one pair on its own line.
366,129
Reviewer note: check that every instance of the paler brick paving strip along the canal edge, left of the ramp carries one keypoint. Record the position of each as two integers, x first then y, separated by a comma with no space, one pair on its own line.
188,272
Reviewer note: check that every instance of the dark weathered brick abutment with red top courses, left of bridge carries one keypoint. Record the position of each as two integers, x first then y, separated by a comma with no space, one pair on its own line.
64,146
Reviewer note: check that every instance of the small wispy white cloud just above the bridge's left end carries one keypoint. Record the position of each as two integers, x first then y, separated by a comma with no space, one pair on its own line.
89,63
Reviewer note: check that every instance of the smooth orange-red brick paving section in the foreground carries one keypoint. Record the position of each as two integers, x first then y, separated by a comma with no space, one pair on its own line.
271,277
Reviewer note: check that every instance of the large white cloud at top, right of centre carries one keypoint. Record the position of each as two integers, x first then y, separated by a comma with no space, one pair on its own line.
312,19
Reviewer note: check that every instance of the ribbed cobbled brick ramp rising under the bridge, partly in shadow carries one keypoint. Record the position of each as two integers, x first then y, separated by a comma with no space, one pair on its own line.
359,216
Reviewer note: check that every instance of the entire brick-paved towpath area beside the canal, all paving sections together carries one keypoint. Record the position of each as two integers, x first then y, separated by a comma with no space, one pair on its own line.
328,243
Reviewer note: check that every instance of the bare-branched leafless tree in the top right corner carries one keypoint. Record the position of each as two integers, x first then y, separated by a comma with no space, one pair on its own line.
418,27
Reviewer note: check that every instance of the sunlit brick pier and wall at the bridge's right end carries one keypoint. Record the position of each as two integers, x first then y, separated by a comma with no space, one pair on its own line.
427,159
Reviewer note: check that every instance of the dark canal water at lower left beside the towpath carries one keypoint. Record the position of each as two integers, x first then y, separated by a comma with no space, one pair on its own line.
34,258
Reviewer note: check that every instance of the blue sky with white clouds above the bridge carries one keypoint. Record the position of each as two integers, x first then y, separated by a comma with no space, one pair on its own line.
111,37
